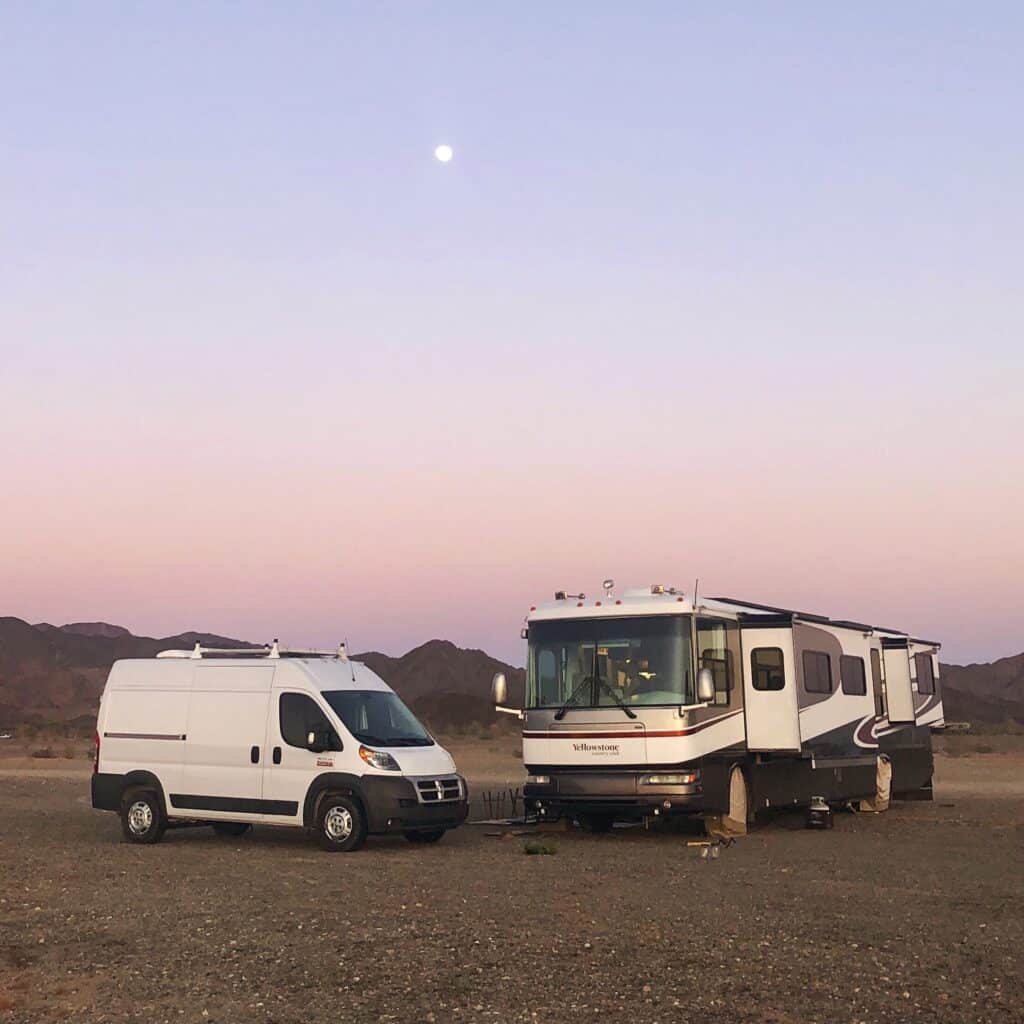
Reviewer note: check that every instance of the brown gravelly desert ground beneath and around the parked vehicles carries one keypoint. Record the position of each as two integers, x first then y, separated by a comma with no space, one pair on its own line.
911,916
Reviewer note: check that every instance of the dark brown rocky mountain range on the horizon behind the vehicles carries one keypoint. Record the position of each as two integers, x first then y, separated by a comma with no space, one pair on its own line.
55,674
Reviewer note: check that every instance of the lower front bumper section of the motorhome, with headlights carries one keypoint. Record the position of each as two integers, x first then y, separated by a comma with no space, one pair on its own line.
625,793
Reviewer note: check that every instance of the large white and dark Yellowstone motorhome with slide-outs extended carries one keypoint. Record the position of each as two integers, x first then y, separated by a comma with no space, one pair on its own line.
653,704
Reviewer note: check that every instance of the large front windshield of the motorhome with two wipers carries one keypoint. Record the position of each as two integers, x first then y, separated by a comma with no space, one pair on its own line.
599,663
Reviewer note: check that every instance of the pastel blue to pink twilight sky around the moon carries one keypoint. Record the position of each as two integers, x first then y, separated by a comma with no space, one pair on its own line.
735,294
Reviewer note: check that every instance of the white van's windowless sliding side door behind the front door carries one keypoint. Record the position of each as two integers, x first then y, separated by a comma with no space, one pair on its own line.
225,746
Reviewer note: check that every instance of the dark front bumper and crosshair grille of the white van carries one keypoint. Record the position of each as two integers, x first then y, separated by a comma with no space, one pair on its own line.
400,805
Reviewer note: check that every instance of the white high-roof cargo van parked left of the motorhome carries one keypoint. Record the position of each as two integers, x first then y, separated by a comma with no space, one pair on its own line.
268,736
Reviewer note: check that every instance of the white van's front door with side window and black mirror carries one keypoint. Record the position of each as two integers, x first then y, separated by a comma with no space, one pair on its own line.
291,766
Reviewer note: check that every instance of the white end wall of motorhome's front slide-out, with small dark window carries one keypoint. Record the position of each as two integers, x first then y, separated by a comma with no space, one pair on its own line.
771,691
